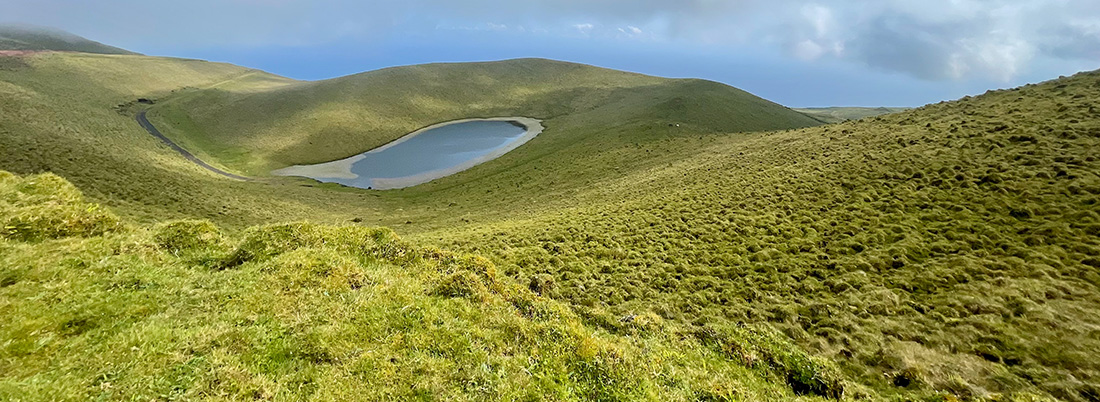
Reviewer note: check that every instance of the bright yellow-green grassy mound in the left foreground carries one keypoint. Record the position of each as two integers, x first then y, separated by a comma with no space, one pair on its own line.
94,310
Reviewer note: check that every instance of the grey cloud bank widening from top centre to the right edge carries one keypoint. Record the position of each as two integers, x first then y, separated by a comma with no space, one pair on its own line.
934,40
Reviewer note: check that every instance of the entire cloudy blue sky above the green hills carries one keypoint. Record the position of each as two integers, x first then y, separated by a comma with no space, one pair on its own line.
800,55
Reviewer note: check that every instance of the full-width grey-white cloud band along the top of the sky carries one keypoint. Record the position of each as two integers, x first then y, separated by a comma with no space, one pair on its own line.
936,41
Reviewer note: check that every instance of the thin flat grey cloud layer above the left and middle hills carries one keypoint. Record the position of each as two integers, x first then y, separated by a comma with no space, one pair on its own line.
251,23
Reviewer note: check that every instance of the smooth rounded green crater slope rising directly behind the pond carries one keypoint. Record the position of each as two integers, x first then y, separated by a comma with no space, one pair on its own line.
256,132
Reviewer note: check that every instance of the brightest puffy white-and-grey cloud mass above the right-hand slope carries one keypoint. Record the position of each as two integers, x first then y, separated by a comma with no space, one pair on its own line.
952,40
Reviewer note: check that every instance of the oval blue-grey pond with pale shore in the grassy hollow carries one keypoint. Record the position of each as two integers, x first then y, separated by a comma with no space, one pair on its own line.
431,154
